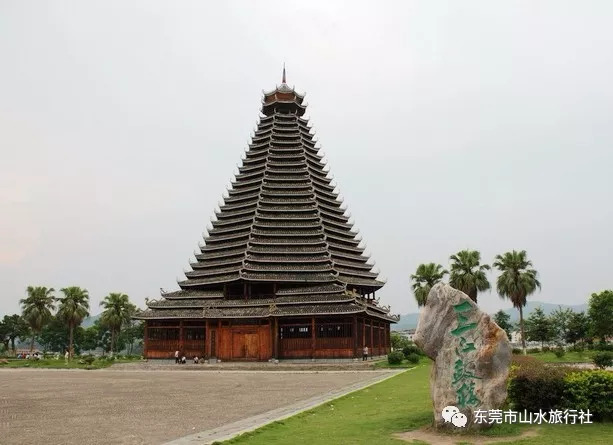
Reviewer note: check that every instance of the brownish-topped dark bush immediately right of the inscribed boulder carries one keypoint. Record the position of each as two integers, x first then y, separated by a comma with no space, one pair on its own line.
535,386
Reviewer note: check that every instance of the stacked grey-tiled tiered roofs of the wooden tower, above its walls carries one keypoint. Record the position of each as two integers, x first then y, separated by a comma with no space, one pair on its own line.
281,223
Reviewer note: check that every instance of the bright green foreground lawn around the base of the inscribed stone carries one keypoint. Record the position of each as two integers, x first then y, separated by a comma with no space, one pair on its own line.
399,404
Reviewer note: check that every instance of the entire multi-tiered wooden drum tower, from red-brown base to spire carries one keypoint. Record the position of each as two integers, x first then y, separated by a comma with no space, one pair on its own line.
281,273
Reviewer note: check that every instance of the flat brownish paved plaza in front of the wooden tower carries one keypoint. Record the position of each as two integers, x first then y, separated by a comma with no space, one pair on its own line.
132,406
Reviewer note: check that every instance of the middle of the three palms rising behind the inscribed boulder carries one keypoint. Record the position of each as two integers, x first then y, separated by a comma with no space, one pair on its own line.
467,274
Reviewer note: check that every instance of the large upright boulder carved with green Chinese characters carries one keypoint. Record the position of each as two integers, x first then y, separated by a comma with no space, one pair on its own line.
471,355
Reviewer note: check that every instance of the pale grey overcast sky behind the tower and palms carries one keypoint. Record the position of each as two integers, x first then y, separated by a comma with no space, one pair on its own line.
447,125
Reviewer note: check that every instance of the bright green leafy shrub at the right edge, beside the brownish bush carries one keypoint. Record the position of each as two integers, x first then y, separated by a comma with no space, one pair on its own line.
591,390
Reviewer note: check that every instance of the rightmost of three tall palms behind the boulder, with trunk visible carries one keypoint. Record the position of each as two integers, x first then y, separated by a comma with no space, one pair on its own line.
517,280
